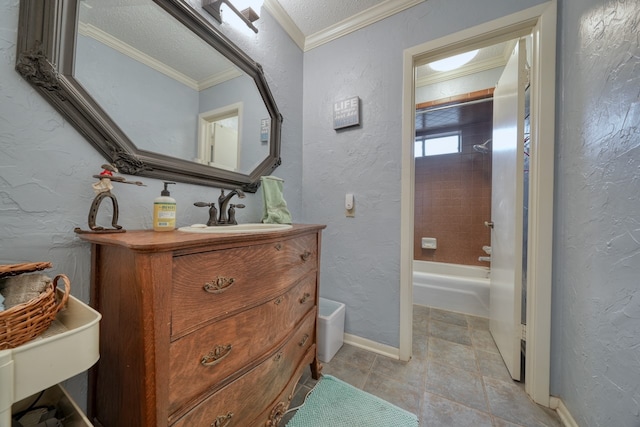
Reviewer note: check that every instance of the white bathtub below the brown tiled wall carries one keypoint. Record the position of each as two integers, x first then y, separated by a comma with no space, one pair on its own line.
453,287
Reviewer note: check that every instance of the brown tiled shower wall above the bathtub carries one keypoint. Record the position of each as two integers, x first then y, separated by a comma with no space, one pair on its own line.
453,199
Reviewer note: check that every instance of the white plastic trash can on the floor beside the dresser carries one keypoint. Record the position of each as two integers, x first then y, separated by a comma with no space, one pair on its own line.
330,328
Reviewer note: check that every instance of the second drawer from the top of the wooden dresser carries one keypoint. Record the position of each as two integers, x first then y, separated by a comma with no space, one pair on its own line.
215,352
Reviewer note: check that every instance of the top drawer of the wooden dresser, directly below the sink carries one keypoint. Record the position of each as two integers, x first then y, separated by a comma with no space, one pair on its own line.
210,285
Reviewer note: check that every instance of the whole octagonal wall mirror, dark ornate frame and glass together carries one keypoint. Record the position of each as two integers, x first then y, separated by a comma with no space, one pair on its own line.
154,87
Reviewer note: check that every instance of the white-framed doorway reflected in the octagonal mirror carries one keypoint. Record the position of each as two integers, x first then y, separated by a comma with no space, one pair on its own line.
219,136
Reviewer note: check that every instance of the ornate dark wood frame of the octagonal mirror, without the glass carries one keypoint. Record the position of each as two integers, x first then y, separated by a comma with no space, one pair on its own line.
45,58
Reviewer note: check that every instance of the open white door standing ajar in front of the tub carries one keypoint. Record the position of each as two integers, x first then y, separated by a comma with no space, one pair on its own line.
507,209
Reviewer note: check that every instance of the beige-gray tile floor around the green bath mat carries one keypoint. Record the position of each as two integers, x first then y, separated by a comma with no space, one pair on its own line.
455,378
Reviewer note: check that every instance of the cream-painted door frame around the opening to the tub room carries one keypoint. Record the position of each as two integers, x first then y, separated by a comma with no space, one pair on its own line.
540,21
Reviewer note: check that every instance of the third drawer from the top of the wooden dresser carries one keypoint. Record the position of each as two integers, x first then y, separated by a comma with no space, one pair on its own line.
245,399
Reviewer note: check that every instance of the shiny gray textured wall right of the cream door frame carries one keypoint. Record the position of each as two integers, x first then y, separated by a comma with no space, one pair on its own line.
596,280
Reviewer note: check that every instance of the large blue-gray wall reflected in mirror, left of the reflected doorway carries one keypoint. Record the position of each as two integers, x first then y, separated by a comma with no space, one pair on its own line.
157,120
